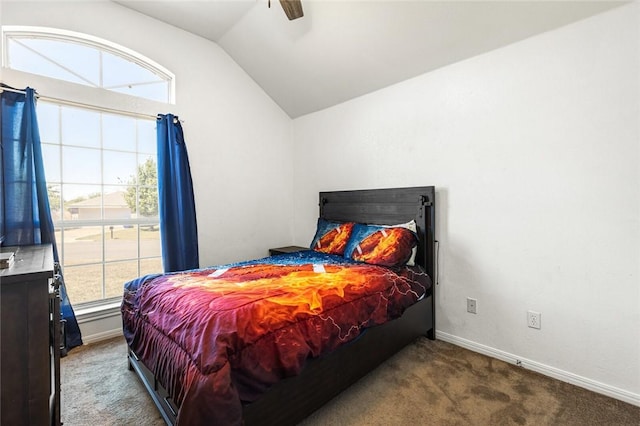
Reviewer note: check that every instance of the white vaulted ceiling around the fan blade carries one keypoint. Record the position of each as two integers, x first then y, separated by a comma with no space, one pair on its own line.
343,49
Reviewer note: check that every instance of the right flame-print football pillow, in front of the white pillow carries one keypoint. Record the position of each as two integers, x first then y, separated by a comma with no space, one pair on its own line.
381,245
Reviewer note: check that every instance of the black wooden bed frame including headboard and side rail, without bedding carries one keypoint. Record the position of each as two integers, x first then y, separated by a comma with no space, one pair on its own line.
295,398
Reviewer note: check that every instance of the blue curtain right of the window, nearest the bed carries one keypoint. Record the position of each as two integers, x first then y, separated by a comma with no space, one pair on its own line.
178,228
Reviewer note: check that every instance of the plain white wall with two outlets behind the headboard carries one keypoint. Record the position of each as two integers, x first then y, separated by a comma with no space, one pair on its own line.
534,151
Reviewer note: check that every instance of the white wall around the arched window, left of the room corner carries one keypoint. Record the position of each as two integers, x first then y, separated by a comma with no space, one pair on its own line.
239,140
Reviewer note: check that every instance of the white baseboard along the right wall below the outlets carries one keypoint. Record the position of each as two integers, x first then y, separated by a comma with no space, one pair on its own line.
565,376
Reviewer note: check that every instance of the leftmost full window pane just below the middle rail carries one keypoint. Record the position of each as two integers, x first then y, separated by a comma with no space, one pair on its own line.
82,245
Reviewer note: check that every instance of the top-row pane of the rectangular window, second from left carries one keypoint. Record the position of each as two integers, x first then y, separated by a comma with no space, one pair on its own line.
80,127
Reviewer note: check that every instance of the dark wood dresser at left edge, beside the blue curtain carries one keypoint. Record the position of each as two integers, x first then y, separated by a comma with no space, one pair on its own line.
30,339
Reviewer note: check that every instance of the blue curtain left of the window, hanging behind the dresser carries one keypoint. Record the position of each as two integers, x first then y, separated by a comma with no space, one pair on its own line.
26,203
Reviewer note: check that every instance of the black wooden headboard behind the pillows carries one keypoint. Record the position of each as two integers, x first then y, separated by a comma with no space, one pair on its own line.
388,207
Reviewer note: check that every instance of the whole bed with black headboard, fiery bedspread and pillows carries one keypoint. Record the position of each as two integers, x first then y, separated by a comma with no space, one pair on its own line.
192,381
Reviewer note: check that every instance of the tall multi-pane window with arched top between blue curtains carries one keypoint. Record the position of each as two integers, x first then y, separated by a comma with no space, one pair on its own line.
100,160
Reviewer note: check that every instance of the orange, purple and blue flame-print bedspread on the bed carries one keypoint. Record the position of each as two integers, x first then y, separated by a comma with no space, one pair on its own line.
217,336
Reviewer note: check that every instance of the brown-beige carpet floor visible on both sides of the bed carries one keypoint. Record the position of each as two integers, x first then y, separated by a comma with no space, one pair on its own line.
428,383
